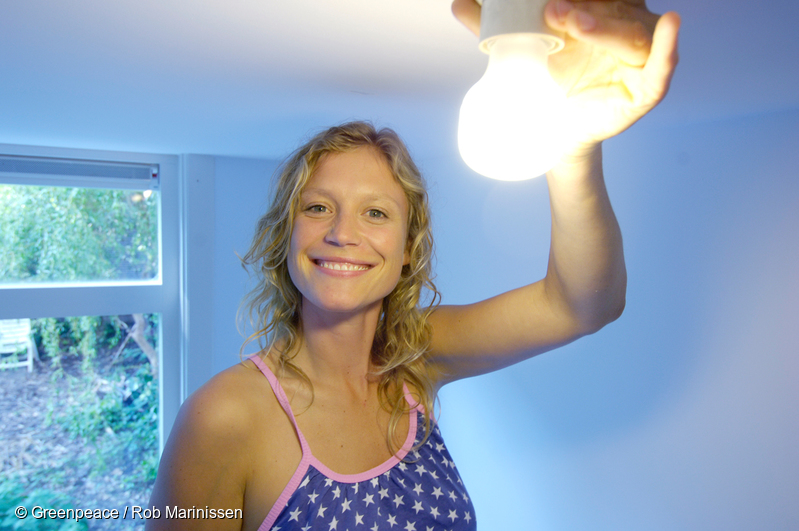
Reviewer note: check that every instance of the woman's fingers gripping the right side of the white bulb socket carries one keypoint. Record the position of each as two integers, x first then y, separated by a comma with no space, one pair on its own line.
622,28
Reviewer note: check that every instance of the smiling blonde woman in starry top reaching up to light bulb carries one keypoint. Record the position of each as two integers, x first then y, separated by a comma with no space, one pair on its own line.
326,427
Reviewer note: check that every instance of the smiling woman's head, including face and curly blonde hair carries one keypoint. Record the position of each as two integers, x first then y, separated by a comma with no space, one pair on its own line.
355,197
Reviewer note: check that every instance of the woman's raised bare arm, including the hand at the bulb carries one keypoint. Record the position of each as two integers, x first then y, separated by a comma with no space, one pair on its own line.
617,65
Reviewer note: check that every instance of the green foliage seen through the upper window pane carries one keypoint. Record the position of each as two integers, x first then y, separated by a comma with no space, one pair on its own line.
74,234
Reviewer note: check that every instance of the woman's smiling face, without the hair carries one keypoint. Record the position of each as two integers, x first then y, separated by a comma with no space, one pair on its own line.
349,241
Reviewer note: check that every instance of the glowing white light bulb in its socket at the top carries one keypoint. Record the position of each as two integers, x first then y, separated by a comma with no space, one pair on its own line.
513,122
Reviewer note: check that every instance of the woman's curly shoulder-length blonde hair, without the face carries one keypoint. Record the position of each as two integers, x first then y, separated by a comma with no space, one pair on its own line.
403,332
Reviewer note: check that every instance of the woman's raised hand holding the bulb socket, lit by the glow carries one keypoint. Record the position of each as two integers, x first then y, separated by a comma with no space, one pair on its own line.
616,65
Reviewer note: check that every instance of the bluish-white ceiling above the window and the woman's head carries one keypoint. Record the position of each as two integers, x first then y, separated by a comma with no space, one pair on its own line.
253,77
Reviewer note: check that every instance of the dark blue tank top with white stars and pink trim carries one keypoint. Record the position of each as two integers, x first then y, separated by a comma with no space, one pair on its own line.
417,490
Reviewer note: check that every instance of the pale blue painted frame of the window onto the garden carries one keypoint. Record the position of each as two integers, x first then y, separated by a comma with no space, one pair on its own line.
164,295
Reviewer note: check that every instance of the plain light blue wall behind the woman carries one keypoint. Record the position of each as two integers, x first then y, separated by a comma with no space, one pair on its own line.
682,414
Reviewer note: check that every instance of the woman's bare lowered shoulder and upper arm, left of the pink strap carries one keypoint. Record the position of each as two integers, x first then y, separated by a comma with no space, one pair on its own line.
222,446
